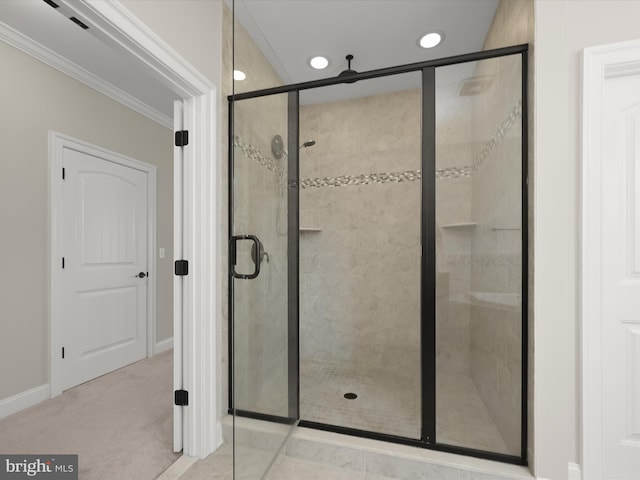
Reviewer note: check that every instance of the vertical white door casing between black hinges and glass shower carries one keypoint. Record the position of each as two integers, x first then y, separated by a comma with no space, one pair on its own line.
200,302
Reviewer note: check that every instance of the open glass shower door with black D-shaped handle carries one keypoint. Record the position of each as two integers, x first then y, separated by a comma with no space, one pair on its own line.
263,281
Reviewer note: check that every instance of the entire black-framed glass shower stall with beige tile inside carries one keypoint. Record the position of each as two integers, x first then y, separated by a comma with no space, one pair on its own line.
378,257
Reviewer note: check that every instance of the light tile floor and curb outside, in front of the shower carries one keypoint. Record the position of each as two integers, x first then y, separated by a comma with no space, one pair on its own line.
329,462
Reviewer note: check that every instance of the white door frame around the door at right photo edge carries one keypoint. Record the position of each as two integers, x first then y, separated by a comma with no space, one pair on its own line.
599,63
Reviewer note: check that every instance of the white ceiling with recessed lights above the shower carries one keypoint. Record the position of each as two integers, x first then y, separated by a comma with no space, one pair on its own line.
379,33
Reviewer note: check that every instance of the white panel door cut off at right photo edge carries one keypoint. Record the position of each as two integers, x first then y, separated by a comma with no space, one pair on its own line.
621,278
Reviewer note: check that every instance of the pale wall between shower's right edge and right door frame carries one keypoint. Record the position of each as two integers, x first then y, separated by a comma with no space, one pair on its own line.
563,29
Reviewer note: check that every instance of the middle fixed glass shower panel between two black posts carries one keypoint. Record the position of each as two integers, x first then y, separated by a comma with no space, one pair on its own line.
360,254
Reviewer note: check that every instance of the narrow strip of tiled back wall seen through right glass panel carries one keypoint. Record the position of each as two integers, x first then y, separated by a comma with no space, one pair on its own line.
453,215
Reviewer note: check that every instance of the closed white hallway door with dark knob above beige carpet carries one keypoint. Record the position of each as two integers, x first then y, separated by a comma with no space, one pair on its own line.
104,244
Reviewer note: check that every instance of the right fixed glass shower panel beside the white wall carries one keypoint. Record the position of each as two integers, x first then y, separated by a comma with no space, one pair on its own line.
479,255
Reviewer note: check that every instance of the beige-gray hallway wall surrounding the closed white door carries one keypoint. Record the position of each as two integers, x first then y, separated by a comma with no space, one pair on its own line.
35,99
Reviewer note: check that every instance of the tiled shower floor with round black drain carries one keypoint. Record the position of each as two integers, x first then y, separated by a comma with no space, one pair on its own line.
388,404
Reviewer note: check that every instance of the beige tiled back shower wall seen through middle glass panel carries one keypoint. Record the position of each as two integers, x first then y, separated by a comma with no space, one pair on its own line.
360,273
